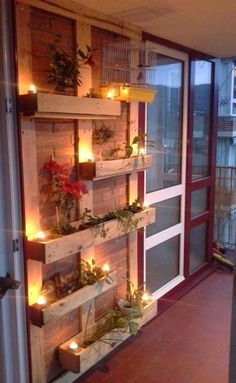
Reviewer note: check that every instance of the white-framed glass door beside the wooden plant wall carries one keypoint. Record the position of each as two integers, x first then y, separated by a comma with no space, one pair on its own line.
165,182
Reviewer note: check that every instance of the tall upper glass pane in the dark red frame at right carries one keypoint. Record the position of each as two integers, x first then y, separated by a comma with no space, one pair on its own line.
201,117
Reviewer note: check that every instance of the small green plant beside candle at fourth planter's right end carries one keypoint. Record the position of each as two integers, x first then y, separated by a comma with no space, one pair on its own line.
90,273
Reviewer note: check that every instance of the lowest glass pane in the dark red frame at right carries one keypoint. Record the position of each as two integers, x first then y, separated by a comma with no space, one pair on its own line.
197,246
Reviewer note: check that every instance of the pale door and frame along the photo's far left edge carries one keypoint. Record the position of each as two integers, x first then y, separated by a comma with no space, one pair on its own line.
13,334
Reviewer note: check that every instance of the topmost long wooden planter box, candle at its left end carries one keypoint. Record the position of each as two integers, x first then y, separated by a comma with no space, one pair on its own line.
60,106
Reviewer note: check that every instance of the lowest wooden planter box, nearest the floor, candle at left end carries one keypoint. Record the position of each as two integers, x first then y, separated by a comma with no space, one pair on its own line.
81,359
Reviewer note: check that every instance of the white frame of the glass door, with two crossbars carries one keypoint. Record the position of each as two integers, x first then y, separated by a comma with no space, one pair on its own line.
178,190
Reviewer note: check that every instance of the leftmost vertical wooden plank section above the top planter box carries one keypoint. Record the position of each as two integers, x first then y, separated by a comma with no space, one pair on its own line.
23,41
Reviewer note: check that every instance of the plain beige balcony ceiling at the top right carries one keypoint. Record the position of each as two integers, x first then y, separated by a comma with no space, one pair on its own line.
205,25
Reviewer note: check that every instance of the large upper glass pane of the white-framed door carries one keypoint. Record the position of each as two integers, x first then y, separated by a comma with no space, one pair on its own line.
164,122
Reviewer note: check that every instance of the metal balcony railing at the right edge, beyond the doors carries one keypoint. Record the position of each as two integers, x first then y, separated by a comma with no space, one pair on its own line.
225,205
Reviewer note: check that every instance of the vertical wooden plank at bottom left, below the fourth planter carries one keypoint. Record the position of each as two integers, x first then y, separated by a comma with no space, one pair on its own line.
37,355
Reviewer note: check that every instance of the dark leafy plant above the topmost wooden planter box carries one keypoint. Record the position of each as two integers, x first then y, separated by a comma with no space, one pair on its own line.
65,66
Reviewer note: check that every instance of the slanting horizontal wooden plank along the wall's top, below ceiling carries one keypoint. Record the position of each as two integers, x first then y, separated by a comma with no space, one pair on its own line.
86,15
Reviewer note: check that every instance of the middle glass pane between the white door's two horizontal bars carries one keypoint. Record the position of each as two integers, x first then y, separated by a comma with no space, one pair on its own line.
167,215
